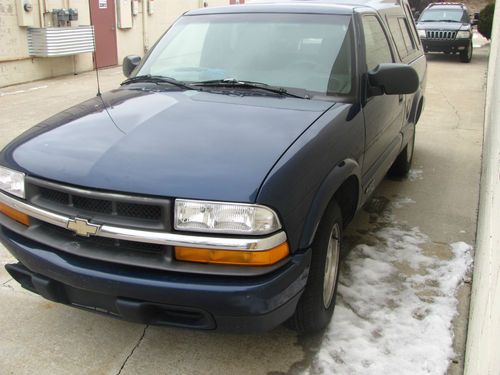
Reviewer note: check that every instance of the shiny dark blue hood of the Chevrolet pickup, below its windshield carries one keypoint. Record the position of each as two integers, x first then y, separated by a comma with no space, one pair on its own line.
173,144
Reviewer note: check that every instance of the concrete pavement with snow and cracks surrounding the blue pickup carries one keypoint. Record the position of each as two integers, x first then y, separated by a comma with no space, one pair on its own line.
403,305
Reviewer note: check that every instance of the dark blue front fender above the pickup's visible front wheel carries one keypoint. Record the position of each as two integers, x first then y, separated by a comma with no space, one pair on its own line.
302,182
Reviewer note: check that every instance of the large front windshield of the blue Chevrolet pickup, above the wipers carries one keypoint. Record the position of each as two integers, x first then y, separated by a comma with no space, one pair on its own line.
294,51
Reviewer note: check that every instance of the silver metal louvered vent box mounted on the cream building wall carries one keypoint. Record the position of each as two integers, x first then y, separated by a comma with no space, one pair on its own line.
60,41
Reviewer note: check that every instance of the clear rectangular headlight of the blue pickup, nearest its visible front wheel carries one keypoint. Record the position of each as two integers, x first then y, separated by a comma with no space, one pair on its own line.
230,218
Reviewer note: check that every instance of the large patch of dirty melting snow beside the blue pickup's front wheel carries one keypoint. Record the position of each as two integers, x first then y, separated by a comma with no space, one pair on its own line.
395,306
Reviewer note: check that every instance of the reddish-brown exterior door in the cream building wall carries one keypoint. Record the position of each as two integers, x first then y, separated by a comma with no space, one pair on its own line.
103,18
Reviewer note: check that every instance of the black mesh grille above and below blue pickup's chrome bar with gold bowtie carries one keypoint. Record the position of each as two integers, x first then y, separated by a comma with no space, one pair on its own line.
125,211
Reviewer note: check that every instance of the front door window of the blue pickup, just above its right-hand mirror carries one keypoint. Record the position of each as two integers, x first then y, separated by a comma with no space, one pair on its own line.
377,48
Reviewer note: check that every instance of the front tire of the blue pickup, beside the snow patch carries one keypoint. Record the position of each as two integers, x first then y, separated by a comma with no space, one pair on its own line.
315,307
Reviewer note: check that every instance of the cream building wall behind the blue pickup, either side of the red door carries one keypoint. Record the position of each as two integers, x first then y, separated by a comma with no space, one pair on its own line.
16,66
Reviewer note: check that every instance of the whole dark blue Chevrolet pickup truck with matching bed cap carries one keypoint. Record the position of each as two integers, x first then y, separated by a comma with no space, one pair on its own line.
211,190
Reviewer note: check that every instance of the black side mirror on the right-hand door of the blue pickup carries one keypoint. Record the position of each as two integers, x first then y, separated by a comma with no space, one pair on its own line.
393,79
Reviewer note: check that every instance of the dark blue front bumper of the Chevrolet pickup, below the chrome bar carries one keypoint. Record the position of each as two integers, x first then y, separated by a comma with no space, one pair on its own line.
229,303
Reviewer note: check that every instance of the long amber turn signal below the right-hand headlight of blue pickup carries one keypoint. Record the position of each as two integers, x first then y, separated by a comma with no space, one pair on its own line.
235,257
